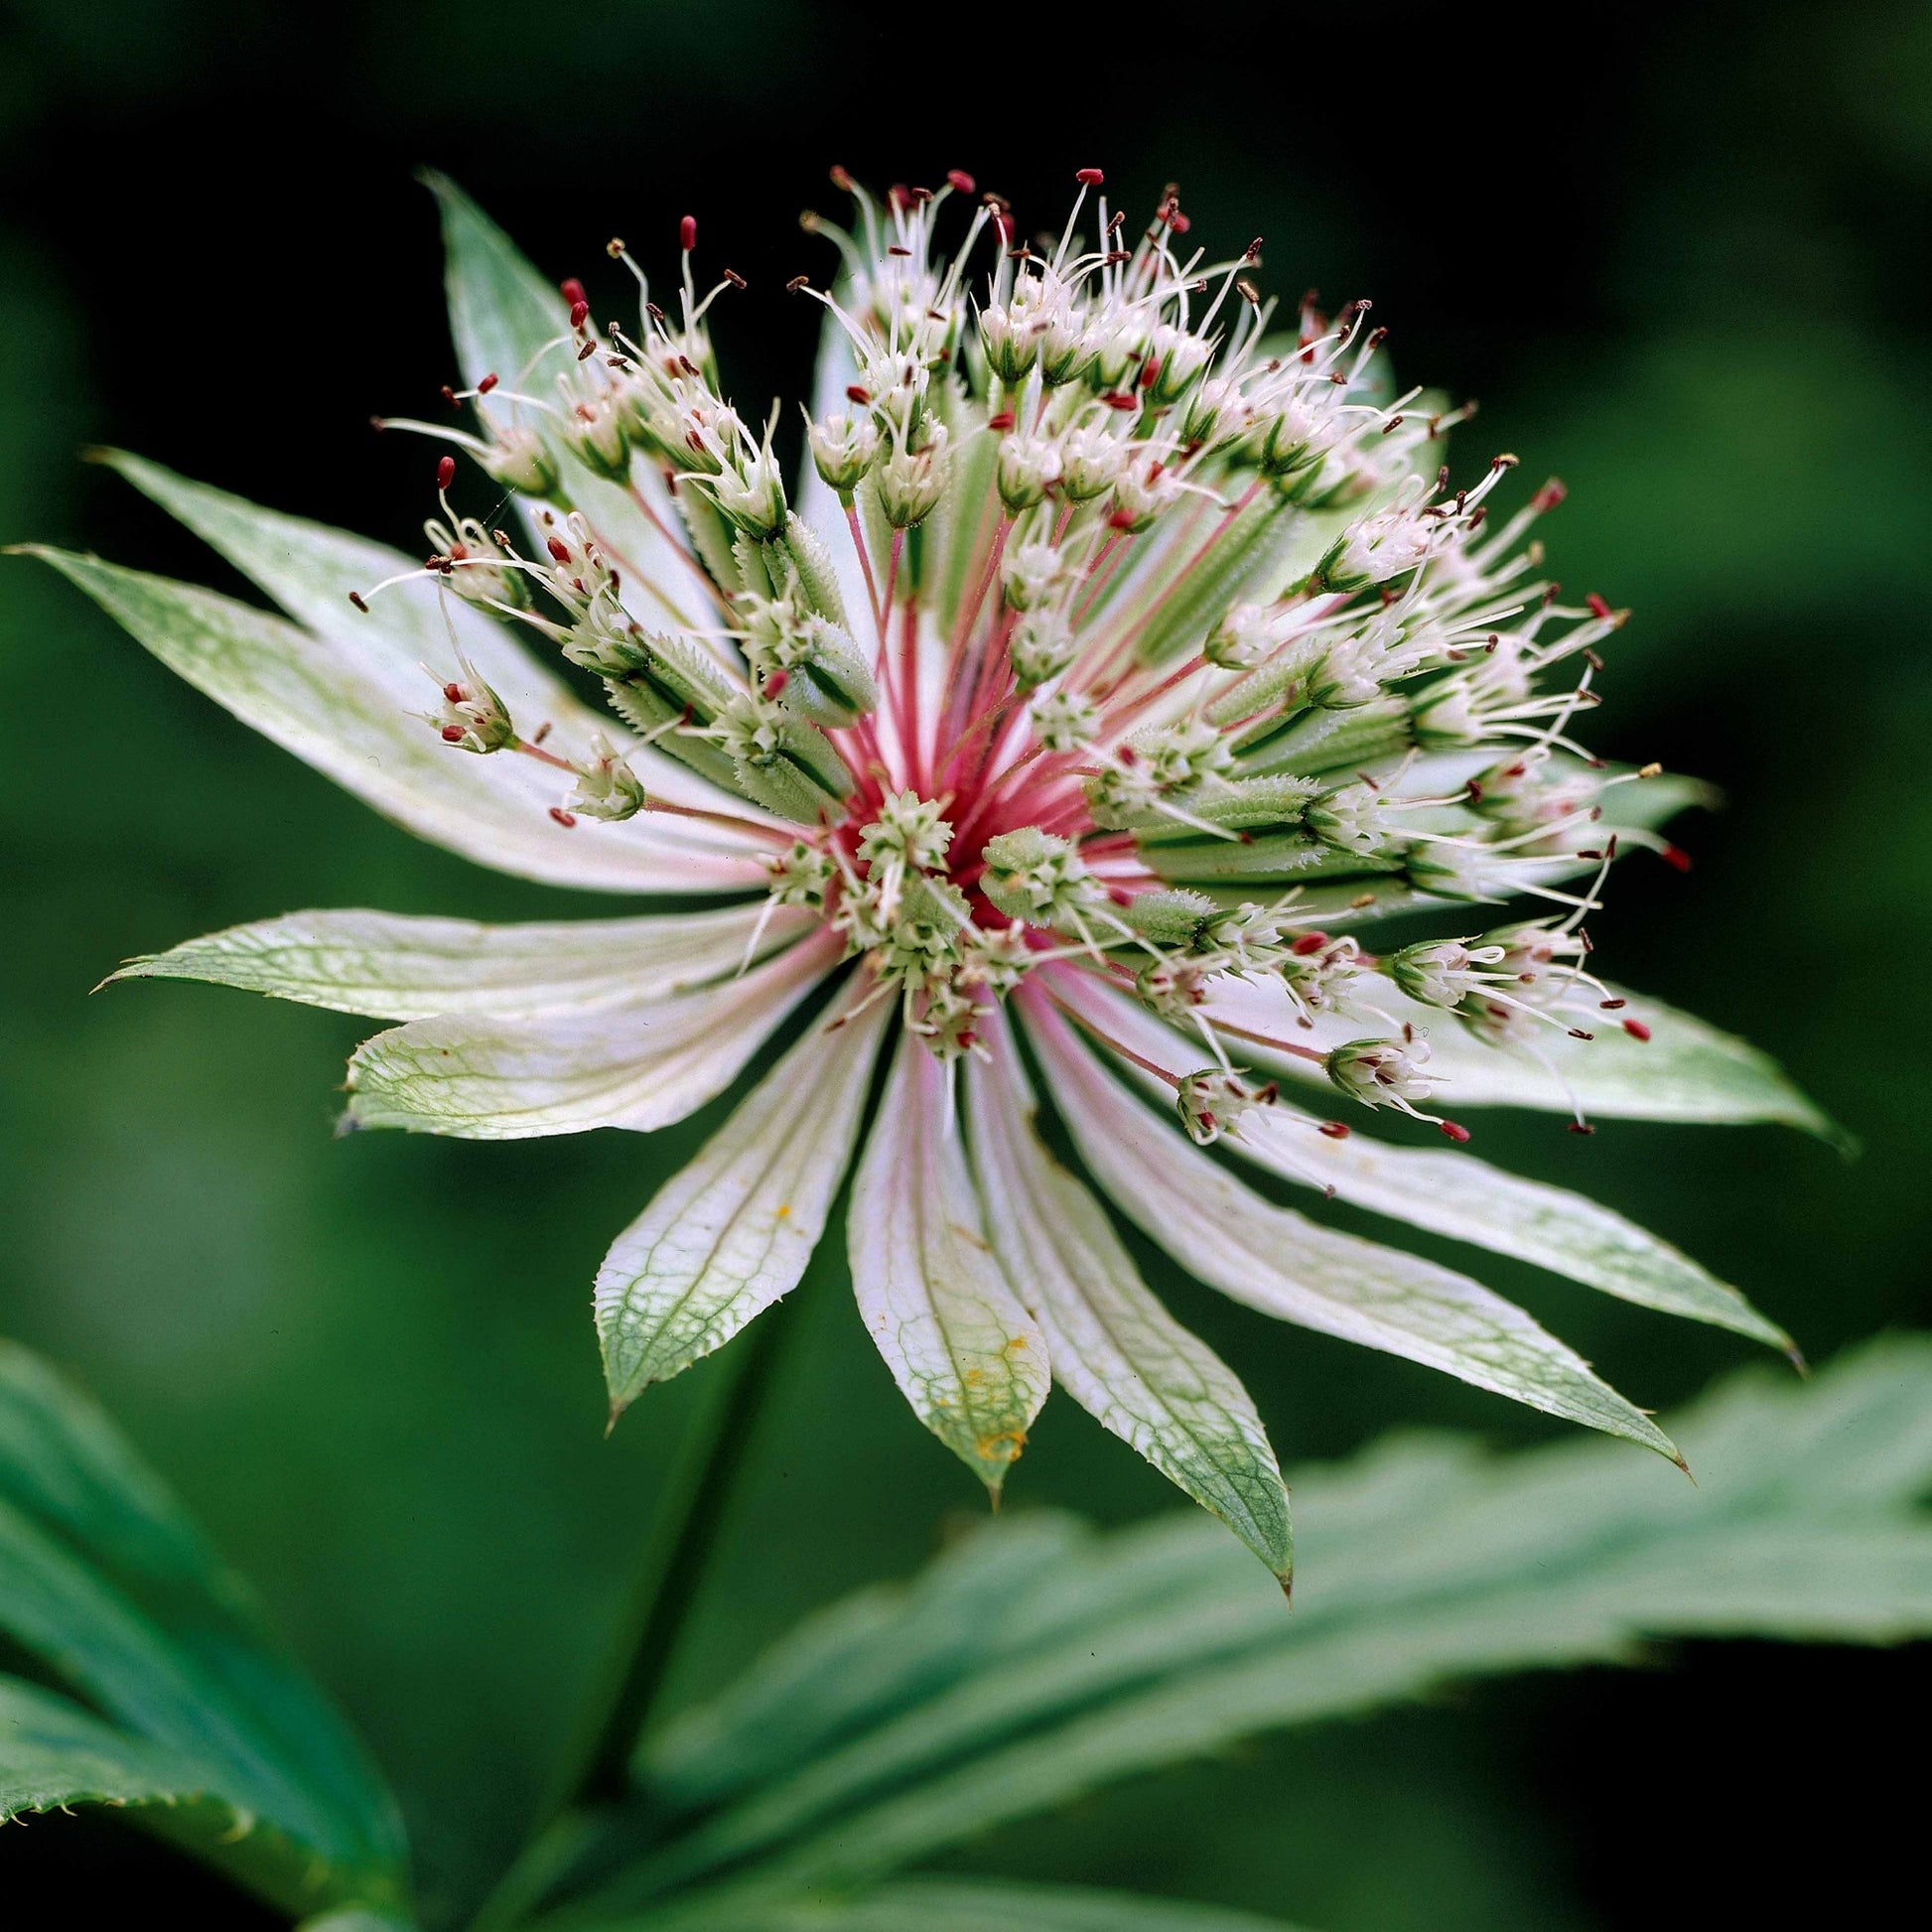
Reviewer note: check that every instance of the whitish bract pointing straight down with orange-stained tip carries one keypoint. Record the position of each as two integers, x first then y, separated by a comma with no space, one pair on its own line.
965,1353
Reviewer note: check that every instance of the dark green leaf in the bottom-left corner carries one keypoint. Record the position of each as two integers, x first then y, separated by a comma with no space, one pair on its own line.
113,1589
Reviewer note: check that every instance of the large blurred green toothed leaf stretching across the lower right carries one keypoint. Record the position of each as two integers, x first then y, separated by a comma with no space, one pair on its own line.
1423,1562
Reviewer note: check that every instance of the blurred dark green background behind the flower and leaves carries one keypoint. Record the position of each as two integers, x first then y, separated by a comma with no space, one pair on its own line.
1678,258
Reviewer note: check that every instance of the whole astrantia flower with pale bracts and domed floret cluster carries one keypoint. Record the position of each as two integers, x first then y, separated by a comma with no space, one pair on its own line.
1123,660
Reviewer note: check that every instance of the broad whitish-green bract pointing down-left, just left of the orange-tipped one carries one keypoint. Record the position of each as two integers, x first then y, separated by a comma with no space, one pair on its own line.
733,1232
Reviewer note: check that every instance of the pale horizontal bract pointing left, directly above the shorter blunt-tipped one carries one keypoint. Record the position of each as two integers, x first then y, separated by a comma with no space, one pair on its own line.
411,969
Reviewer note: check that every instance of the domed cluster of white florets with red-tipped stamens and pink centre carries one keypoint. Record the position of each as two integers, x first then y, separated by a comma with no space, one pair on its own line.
1160,644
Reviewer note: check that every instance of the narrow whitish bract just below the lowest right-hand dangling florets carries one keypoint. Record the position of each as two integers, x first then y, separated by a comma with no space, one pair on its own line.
1448,1193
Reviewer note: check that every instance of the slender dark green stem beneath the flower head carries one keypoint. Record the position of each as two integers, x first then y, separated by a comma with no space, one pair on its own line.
668,1583
